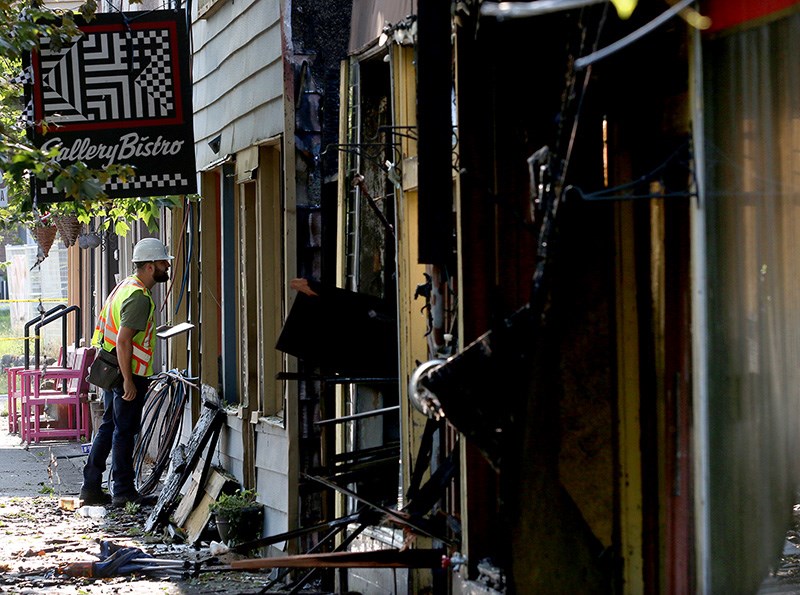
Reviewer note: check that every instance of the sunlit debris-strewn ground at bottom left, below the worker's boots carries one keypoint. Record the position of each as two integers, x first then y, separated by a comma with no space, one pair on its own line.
45,547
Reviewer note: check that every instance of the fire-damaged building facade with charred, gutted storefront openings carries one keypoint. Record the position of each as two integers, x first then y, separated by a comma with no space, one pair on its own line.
591,253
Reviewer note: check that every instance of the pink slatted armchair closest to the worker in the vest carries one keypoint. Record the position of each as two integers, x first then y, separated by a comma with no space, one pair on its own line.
34,399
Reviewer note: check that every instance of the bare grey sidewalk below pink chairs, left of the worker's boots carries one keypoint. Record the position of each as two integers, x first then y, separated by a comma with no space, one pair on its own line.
30,470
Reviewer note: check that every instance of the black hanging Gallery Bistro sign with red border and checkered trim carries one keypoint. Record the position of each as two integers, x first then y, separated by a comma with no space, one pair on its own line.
119,94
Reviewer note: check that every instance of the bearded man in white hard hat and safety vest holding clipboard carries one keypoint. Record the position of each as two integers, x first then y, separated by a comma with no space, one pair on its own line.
126,325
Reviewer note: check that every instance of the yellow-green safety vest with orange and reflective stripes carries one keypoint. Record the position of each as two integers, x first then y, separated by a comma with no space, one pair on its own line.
105,333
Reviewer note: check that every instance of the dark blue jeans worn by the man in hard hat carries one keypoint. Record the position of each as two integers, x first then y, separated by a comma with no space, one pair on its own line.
116,436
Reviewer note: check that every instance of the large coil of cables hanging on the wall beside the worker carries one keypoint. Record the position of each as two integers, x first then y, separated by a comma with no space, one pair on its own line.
162,420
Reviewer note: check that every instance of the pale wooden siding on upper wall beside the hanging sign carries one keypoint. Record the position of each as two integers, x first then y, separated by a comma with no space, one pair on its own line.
238,77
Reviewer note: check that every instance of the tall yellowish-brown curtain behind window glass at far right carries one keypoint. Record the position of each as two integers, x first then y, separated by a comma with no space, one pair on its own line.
753,212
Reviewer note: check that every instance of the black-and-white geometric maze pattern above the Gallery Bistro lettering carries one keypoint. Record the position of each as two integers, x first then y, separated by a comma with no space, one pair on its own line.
107,76
